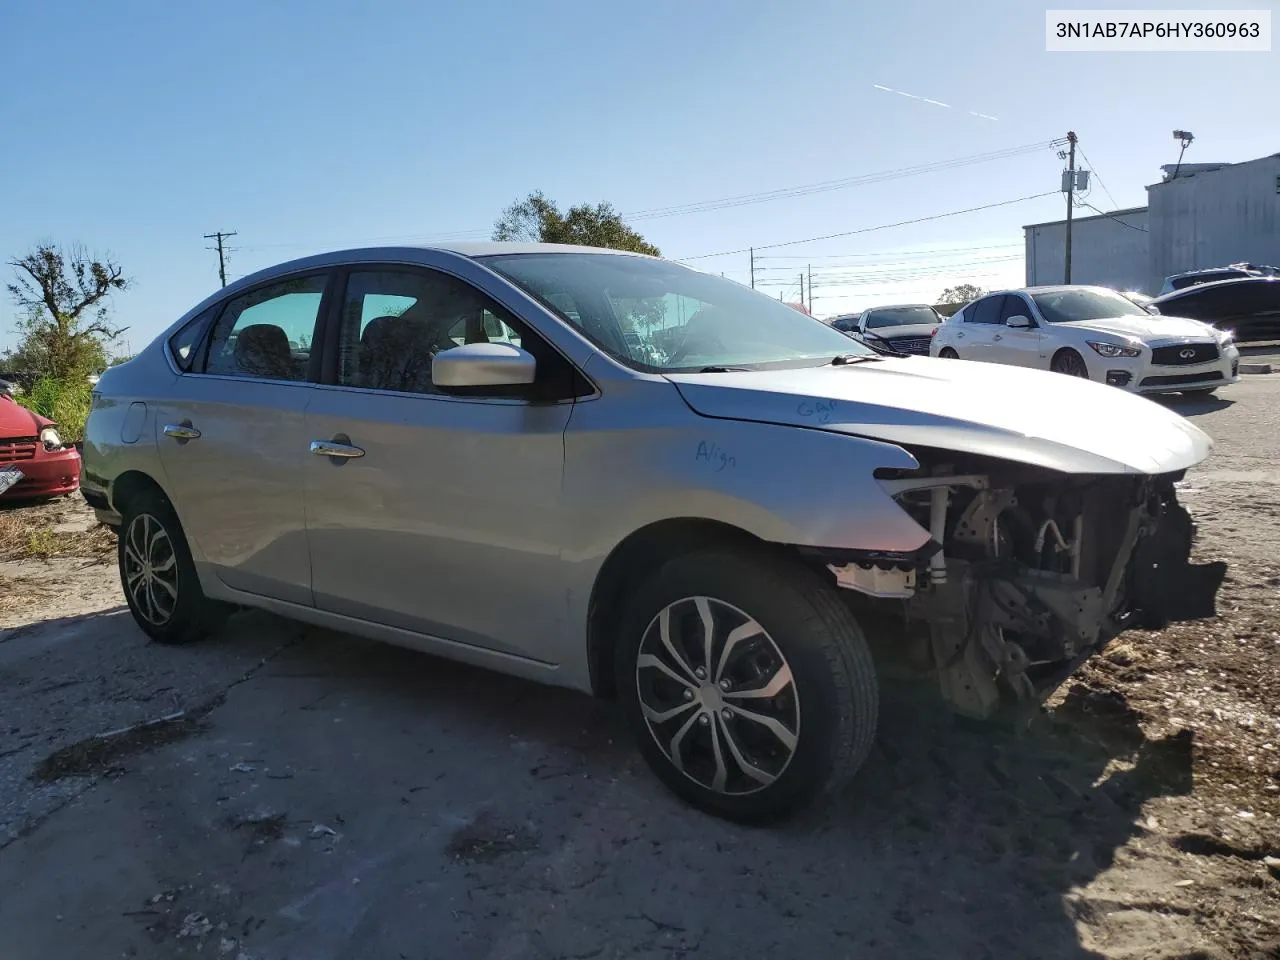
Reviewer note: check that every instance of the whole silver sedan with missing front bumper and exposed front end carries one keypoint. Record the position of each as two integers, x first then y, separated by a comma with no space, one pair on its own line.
620,476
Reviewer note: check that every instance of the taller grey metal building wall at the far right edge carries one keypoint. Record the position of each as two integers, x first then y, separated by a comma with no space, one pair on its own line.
1215,218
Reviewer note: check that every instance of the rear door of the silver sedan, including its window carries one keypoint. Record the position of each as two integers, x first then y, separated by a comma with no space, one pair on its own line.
232,441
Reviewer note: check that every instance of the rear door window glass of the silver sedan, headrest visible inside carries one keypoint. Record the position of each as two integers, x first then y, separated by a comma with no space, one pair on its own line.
268,332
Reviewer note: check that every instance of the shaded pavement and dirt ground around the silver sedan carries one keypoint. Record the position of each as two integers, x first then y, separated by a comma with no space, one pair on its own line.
300,794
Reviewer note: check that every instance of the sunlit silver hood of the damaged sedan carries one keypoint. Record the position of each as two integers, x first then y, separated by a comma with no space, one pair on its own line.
1062,423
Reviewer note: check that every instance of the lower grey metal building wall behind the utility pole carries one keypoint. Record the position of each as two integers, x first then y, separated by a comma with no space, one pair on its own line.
1109,253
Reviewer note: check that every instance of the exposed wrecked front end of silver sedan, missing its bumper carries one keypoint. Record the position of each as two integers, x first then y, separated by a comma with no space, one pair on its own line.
1031,572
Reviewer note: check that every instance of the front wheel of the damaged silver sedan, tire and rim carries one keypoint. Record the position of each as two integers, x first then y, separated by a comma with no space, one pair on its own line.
829,710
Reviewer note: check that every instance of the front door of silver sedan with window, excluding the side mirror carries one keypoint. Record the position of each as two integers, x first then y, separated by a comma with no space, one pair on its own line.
444,519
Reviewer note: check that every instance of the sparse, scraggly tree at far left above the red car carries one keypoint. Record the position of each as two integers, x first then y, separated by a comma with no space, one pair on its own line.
66,296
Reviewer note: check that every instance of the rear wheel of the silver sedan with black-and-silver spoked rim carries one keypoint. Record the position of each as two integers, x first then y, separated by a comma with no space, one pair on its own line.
164,596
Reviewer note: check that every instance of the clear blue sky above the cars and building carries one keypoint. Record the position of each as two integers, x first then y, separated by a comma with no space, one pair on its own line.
318,125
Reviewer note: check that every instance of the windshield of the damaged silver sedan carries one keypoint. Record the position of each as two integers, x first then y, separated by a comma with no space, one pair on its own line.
661,317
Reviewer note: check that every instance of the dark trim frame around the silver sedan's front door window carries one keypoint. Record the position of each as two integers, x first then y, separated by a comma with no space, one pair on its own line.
332,354
